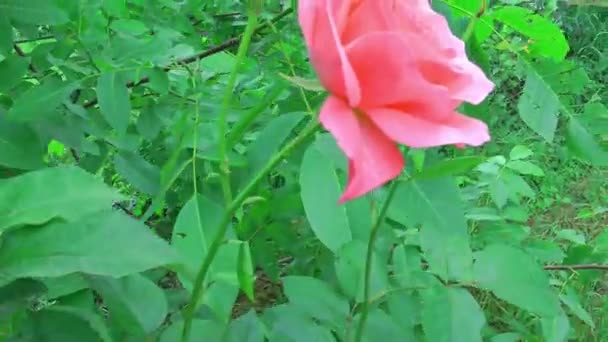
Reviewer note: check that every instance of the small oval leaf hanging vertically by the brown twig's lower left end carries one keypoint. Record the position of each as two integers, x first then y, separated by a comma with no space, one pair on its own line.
114,101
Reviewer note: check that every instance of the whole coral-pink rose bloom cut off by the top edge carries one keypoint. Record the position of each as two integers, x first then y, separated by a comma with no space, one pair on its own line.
396,75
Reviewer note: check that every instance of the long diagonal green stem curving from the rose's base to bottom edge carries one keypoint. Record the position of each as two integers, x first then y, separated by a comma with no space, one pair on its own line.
197,292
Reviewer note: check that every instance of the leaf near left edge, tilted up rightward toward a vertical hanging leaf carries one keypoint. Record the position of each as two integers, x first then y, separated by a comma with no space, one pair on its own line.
40,101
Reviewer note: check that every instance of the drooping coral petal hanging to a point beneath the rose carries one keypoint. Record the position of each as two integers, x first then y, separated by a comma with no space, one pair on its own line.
373,158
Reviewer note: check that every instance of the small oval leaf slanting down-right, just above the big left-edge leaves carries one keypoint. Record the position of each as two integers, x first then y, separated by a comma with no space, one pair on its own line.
144,176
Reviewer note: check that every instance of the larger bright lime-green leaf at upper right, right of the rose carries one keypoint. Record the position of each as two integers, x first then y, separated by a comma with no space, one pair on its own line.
547,39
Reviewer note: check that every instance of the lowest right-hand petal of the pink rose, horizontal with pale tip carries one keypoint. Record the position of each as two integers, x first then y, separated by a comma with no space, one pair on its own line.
411,129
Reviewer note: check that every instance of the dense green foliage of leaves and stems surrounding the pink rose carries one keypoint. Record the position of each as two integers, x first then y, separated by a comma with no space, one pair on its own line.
126,213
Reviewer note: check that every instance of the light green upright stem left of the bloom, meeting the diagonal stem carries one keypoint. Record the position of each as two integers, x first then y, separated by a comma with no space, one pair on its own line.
222,124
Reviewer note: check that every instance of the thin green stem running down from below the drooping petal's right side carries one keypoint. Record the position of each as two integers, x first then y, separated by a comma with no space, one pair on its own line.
368,260
